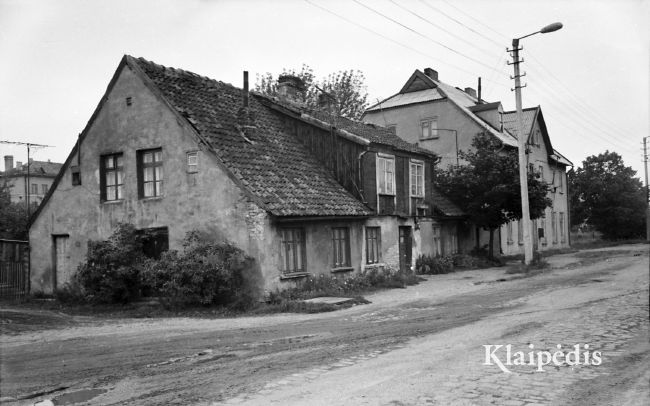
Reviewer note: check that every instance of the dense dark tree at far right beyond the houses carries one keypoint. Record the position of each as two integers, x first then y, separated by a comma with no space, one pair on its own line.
606,195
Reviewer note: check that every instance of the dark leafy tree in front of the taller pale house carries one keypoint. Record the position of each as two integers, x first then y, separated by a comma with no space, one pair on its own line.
487,186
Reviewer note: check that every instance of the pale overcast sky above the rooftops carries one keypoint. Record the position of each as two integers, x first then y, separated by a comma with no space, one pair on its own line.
590,78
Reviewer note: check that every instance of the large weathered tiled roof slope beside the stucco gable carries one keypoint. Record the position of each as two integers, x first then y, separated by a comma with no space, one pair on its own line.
270,163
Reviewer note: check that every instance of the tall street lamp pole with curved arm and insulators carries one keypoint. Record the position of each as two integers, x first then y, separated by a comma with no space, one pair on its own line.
523,176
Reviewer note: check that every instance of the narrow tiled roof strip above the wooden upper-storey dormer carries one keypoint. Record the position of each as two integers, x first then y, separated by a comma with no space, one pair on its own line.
373,133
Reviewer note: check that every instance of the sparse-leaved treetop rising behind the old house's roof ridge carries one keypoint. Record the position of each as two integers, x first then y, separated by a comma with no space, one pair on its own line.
346,88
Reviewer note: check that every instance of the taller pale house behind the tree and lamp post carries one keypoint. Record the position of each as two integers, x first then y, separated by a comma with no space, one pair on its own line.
445,119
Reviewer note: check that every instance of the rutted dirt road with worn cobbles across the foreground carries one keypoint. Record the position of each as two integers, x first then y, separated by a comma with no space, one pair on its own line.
421,345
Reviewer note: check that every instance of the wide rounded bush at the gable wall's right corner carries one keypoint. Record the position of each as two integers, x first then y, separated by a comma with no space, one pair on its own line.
203,273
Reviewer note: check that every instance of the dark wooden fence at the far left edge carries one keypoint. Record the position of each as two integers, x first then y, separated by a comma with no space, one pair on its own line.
14,269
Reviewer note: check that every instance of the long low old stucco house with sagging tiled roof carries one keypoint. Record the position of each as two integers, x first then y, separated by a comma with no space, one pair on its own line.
300,191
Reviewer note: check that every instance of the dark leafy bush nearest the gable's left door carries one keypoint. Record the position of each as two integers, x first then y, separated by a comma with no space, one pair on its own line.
111,273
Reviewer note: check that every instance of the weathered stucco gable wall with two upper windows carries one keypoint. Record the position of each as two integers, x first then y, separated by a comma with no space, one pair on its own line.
207,200
